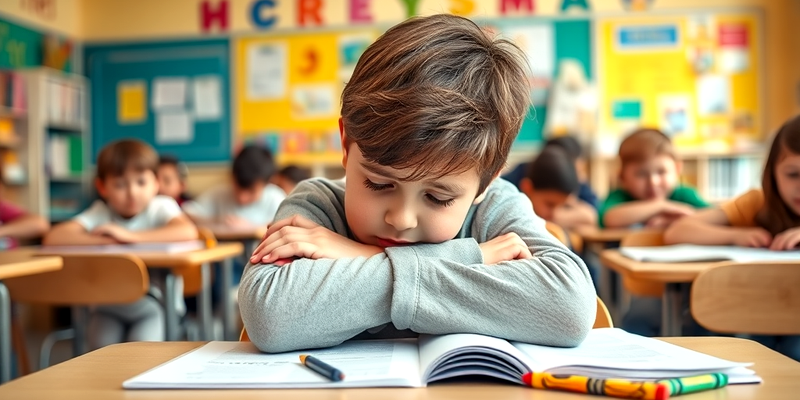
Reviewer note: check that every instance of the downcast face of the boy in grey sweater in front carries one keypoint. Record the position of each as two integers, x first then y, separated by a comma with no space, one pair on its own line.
383,211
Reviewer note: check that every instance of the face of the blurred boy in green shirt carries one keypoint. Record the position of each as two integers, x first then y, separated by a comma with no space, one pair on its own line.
653,179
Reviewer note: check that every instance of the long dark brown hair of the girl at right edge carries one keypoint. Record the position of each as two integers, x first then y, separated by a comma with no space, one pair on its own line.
776,216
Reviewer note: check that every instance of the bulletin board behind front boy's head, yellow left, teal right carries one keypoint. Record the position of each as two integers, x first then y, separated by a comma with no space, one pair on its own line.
288,87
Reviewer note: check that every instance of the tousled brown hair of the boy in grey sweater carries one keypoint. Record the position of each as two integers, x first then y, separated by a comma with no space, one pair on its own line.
437,95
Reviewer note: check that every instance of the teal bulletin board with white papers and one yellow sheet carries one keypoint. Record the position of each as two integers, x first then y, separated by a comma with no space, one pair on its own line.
172,95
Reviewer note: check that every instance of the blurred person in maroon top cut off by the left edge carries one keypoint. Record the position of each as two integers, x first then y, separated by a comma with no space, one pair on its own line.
17,224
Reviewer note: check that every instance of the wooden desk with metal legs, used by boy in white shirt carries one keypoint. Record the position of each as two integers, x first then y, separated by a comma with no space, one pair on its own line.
200,258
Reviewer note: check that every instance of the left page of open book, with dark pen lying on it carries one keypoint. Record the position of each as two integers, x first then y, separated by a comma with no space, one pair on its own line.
240,365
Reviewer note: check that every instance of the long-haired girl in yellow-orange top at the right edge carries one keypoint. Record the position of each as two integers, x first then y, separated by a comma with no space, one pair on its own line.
769,217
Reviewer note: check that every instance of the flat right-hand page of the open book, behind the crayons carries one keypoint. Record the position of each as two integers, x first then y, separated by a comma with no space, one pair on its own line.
612,352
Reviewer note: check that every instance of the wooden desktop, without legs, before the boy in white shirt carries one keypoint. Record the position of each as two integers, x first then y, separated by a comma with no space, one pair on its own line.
184,259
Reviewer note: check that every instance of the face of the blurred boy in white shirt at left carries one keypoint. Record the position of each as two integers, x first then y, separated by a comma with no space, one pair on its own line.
130,193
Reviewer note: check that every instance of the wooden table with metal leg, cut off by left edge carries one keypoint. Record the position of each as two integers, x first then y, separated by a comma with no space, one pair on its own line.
13,264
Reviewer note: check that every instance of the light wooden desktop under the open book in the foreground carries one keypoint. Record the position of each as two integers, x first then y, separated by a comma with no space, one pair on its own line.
100,375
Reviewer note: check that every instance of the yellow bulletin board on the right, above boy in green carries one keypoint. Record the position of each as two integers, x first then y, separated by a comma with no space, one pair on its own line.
696,76
